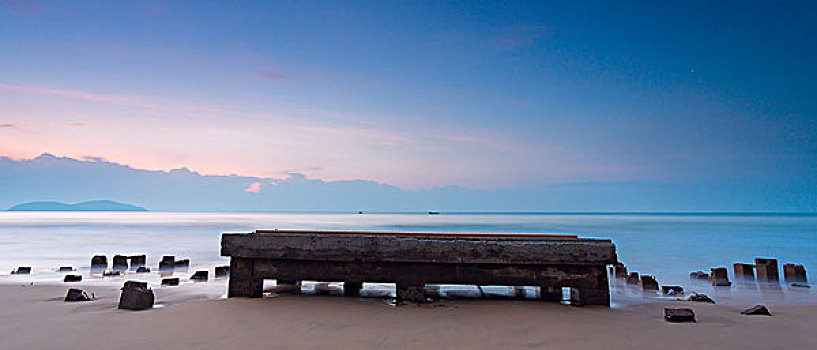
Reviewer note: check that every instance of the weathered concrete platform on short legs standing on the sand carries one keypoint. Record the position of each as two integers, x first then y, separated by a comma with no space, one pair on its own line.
411,260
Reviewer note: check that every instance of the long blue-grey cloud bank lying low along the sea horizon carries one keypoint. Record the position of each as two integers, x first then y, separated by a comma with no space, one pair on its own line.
70,180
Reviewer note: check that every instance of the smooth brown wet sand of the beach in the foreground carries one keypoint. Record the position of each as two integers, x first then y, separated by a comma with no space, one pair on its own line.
35,317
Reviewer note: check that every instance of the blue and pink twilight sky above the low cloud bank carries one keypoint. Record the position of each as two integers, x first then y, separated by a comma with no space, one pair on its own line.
419,95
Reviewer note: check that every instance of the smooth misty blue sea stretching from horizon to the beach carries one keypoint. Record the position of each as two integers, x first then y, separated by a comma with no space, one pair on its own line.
668,246
